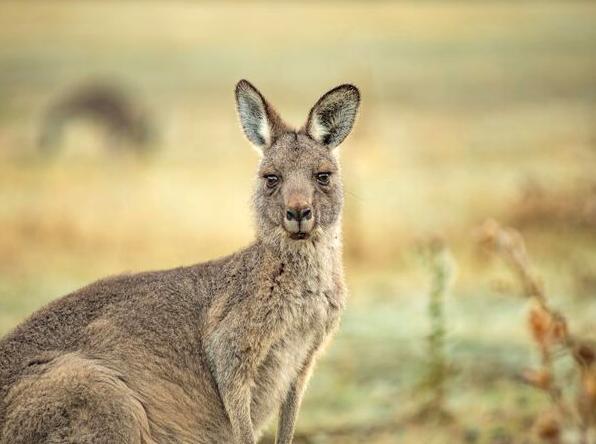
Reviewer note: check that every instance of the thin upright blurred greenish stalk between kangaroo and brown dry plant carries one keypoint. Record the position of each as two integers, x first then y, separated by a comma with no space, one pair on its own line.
440,263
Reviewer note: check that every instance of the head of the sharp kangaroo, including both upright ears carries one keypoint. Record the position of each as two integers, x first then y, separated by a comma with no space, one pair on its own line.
299,191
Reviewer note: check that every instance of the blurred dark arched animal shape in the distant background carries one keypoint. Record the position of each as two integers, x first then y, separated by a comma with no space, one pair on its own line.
112,108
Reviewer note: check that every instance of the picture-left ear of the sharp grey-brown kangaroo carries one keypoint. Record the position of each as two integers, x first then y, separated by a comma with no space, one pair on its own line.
260,122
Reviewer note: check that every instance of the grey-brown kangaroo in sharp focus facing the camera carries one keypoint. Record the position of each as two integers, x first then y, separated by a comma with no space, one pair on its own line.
204,353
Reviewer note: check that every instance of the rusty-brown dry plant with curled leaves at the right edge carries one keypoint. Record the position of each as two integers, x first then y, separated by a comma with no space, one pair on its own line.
551,335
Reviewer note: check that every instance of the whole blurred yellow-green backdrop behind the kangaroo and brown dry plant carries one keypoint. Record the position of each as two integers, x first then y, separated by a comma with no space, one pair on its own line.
120,151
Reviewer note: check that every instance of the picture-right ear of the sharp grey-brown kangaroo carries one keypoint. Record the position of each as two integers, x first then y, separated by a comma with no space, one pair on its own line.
332,117
